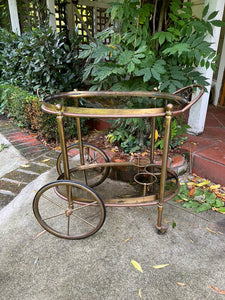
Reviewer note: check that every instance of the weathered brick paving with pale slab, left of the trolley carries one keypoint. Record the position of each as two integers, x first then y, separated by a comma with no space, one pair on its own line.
27,158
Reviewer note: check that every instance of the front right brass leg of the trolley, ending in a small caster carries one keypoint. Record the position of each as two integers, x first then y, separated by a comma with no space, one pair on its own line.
159,226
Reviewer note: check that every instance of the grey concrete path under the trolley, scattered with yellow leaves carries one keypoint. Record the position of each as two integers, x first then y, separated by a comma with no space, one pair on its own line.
99,267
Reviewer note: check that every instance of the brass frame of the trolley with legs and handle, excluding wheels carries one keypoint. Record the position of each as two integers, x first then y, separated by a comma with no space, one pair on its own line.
181,105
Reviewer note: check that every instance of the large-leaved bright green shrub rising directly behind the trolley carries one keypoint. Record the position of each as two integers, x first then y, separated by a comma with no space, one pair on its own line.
152,45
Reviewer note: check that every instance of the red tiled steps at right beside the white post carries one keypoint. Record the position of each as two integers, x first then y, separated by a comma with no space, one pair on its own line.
207,150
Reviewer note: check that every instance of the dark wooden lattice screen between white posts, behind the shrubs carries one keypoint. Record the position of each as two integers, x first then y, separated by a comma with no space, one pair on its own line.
89,16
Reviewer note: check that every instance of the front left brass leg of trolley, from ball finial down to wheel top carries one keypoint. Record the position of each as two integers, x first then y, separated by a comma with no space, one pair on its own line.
63,144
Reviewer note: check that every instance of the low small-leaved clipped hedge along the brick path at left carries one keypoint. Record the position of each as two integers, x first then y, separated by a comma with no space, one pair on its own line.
25,109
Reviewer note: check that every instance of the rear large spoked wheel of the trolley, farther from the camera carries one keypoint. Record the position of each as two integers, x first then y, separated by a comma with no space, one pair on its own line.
92,155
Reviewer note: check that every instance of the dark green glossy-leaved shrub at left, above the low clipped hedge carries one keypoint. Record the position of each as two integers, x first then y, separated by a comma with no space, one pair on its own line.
40,58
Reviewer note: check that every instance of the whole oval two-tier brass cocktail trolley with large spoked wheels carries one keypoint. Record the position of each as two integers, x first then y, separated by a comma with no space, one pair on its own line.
71,207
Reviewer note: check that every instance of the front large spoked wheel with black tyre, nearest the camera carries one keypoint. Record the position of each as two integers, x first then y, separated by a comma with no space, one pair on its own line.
69,209
